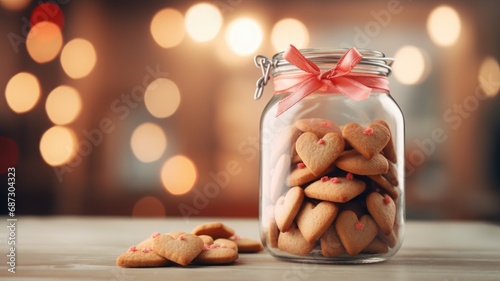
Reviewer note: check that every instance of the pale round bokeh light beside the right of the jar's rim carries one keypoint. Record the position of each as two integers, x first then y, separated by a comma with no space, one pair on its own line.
410,66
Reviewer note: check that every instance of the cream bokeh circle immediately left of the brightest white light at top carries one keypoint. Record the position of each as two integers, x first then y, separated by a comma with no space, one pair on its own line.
203,21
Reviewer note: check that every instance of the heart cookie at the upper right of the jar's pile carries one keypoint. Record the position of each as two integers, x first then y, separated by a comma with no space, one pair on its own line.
367,141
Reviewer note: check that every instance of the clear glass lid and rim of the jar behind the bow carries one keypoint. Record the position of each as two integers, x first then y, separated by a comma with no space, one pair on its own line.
373,62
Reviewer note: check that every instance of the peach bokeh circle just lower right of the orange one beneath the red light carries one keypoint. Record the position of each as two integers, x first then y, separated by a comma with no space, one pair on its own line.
78,58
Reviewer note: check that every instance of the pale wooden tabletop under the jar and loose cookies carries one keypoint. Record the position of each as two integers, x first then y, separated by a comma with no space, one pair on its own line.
85,248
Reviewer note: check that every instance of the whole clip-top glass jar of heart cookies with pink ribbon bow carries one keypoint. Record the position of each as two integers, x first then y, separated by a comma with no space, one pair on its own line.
332,157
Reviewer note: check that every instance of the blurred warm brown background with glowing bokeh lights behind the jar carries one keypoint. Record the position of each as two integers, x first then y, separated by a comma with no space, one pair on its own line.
145,108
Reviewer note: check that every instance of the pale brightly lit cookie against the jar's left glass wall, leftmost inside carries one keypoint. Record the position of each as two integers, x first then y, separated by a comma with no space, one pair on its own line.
287,207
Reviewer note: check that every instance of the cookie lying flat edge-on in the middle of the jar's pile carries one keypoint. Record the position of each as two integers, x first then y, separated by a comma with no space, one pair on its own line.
336,189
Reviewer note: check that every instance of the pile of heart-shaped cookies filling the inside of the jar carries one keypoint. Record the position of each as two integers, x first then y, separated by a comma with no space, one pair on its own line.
332,190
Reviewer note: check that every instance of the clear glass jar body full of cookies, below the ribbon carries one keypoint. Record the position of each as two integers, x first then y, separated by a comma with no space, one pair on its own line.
332,179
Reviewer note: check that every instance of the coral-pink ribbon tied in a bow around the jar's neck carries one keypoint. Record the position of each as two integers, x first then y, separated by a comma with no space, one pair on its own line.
337,80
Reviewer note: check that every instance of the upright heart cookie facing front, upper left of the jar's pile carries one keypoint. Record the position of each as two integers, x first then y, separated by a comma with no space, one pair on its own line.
319,153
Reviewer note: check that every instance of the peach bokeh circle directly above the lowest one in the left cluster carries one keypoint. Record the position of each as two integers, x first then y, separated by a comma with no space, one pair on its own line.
63,105
